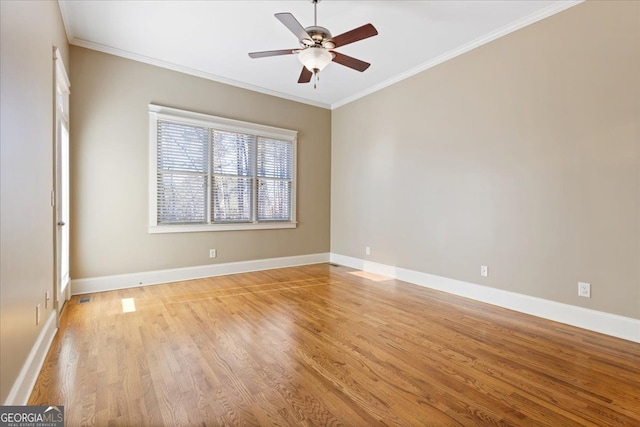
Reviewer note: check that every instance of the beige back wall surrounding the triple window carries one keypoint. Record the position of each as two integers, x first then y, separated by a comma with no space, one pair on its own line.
109,168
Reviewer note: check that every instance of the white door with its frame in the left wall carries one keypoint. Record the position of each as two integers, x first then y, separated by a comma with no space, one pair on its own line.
61,291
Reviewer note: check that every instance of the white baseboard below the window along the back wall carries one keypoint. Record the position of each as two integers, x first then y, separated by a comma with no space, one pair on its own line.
122,281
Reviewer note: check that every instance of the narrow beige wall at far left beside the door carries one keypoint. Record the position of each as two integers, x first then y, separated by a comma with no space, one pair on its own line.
28,31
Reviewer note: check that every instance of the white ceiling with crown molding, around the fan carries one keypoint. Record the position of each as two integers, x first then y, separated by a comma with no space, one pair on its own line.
211,39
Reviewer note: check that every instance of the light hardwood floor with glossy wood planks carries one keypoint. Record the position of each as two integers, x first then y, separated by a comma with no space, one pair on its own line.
320,345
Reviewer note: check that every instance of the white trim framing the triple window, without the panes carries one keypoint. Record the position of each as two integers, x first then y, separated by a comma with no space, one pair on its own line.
158,112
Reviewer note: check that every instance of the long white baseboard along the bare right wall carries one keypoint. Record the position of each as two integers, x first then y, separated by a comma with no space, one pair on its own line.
606,323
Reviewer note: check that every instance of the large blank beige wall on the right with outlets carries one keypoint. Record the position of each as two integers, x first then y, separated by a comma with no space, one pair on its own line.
523,155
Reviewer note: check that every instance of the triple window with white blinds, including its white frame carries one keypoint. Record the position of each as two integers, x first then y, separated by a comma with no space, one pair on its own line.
212,173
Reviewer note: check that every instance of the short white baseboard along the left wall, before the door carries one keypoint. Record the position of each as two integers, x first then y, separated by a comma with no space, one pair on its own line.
23,386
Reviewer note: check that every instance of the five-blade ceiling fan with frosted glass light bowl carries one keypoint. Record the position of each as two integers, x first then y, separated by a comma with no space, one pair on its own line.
317,45
